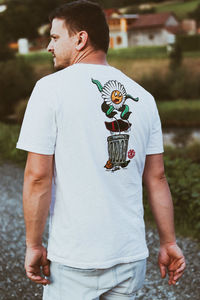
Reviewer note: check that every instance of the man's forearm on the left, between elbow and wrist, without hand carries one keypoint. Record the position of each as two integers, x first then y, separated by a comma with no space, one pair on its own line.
36,202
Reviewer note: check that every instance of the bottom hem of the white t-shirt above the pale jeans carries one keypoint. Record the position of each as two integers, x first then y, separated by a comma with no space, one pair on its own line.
97,265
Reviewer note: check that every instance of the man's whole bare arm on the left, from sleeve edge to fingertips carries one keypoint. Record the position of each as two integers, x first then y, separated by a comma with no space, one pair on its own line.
36,202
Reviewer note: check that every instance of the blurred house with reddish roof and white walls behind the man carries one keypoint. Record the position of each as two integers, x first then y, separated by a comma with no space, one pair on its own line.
143,30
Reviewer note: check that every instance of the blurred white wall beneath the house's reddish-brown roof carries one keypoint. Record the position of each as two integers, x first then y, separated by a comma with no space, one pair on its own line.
147,37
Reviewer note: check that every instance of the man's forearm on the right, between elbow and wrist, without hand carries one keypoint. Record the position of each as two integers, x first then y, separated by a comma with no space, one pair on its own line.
160,200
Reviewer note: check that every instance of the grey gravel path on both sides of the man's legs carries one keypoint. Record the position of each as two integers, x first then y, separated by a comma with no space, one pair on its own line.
13,283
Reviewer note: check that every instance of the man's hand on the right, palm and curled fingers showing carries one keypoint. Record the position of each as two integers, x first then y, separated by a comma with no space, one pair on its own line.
171,260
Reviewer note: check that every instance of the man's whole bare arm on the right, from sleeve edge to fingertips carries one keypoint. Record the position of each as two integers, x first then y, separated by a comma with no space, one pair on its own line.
170,256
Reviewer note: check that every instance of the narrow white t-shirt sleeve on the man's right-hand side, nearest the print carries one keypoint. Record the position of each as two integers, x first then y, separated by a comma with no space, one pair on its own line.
155,143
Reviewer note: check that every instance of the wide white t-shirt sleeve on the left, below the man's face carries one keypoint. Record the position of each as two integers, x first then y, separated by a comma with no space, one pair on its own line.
39,128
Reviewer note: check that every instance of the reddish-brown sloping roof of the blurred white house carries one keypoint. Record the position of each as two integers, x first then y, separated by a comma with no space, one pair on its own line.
151,20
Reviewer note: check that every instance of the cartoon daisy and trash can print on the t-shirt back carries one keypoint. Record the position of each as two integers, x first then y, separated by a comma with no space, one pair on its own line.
114,107
